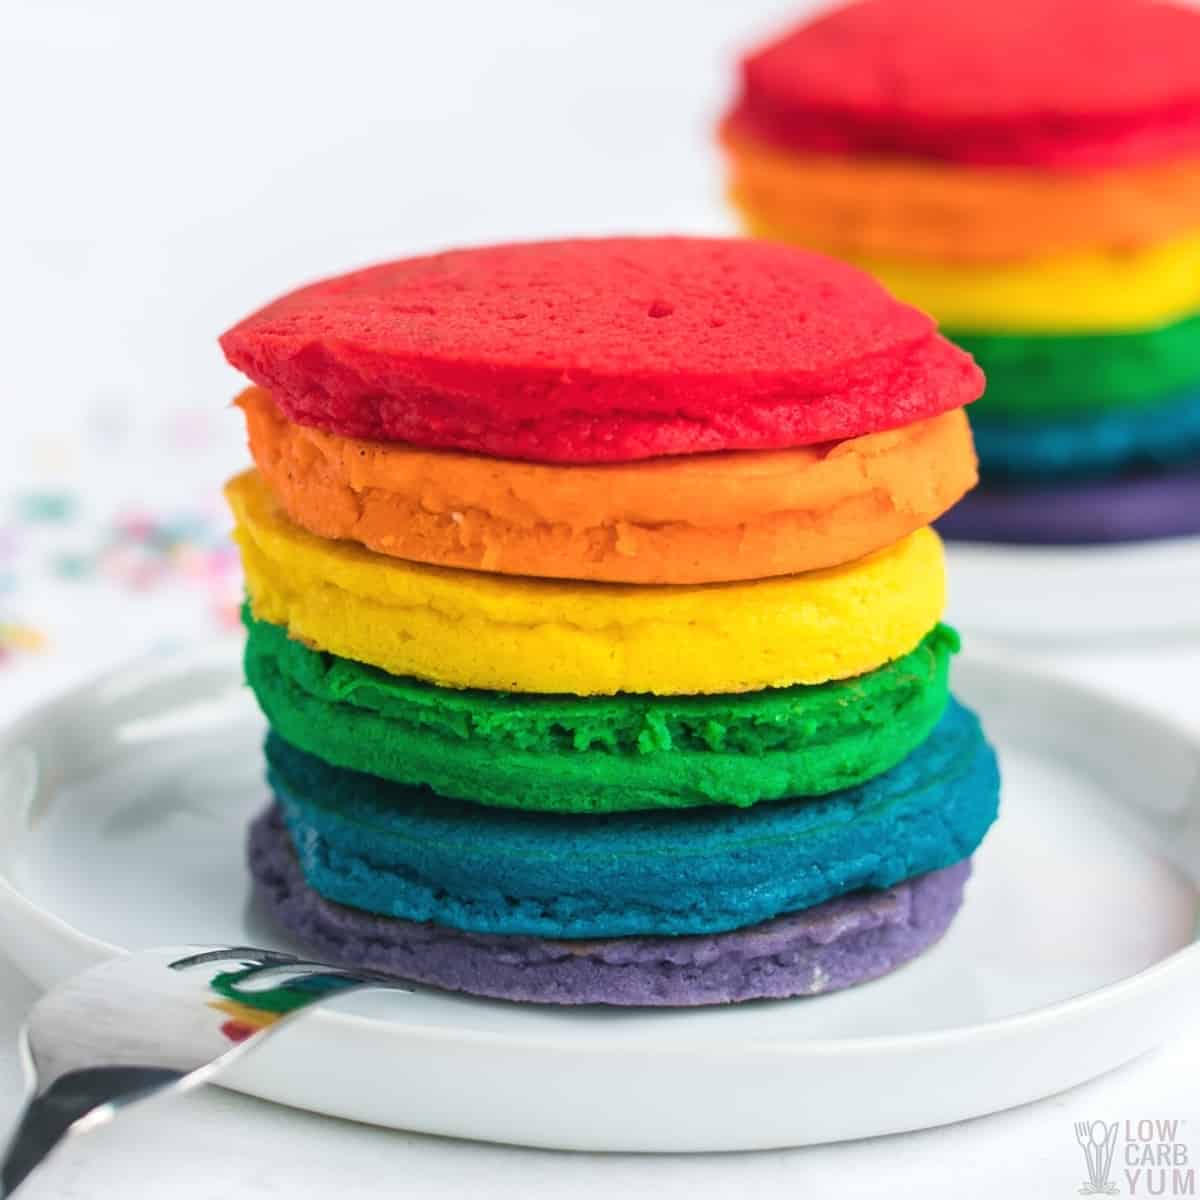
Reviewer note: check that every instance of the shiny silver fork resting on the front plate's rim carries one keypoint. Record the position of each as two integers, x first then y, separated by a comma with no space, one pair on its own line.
153,1024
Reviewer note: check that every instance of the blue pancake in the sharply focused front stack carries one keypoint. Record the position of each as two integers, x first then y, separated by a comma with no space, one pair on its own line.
406,853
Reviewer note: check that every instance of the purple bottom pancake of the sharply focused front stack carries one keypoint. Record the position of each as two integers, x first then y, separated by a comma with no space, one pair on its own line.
829,947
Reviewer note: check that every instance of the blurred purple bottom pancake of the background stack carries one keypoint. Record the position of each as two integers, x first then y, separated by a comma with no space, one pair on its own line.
1127,508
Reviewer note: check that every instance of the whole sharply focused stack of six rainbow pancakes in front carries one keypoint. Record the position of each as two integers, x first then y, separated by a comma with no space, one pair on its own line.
595,611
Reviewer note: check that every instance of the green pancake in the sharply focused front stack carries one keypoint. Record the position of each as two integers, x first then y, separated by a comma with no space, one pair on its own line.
601,754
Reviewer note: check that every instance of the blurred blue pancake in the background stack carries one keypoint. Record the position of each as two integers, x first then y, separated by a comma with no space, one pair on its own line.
1101,445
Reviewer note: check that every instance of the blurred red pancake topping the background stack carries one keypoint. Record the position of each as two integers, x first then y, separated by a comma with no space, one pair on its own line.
1070,83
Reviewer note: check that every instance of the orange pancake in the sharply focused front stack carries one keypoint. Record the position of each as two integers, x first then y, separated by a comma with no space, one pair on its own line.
694,519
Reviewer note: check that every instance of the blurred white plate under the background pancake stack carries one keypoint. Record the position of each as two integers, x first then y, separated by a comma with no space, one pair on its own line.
1039,593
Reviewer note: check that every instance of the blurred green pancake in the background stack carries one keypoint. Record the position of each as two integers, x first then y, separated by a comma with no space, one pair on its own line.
1033,377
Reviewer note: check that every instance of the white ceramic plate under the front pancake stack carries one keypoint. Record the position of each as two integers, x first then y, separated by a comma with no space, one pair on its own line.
122,813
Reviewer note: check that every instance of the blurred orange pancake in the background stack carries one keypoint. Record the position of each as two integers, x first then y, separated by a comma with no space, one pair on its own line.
908,208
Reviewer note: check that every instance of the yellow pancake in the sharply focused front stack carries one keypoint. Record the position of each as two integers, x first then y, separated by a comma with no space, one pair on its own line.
464,629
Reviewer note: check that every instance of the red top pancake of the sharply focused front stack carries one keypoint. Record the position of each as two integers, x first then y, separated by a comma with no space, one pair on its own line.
603,351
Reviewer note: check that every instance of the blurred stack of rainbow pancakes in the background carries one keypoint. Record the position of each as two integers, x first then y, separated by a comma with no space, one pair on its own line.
1029,173
